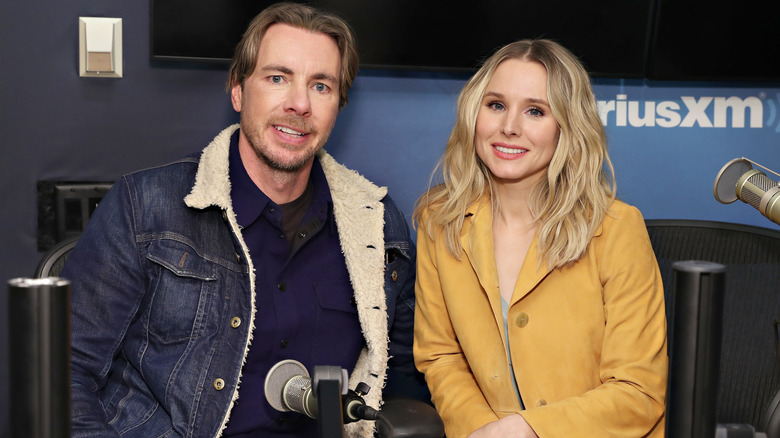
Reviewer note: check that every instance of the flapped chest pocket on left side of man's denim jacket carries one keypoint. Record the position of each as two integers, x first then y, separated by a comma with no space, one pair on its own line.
183,291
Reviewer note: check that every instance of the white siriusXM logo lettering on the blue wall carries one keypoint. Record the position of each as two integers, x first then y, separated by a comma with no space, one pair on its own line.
704,112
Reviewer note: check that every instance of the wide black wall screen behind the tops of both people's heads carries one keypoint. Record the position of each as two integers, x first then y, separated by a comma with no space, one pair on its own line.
610,36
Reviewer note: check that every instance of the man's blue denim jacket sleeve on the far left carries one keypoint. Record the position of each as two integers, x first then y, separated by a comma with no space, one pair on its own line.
106,289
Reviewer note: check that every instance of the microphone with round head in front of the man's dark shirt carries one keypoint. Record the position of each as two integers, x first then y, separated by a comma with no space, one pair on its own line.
288,387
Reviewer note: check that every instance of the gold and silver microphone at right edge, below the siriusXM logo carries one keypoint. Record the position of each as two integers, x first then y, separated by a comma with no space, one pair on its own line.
738,180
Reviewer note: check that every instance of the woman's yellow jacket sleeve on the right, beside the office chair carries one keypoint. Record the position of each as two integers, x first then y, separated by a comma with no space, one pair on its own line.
630,401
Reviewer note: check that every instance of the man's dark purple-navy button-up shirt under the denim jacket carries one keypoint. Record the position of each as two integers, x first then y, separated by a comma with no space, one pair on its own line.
304,299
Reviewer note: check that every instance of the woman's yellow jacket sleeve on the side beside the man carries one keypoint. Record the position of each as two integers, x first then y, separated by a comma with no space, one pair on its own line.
454,390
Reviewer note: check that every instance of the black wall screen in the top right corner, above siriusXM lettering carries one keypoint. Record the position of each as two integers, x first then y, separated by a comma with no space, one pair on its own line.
705,40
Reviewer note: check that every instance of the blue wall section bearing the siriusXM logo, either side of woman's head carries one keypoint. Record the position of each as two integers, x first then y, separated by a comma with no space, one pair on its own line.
667,141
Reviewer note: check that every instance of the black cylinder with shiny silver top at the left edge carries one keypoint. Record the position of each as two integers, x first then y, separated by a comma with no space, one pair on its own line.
39,347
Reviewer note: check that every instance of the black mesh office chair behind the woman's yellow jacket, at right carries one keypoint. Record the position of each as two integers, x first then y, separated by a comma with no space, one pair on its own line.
749,366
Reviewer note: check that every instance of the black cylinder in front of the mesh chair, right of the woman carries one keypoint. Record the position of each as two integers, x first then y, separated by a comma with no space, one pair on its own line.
694,348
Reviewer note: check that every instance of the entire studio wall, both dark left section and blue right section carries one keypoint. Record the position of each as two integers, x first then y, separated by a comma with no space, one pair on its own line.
58,126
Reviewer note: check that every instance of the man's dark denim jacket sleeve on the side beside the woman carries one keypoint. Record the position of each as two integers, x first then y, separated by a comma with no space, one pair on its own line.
403,379
